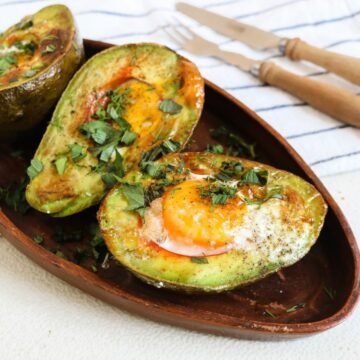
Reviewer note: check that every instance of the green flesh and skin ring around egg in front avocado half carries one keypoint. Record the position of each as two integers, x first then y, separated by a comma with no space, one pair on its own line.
223,272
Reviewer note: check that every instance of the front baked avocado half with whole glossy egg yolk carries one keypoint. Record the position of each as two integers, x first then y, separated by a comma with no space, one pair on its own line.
201,222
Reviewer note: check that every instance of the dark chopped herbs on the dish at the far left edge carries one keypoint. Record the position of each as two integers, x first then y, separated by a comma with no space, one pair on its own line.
14,196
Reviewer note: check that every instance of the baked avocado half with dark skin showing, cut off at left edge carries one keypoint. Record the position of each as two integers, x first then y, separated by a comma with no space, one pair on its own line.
38,56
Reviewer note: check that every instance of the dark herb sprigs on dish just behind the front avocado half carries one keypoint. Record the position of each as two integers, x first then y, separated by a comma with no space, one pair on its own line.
237,146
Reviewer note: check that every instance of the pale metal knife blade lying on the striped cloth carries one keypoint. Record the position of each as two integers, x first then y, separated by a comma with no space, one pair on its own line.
250,35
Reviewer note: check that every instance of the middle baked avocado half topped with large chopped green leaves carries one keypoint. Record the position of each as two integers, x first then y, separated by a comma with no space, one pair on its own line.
126,104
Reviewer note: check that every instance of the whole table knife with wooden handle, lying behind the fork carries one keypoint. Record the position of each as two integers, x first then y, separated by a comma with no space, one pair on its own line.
295,49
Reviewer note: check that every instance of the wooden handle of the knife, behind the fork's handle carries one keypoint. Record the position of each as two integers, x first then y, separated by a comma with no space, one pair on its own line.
345,66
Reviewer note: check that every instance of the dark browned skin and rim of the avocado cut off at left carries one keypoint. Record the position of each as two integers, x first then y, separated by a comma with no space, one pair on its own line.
25,105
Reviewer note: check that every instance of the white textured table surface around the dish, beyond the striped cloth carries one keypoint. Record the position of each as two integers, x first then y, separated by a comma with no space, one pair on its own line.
42,317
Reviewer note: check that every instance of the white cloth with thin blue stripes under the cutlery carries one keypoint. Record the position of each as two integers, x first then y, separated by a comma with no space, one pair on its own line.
329,146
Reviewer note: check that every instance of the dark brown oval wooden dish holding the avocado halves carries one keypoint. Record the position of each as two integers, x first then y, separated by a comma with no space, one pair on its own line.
333,263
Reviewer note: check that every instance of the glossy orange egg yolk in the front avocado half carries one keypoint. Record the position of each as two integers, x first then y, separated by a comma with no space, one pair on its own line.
193,226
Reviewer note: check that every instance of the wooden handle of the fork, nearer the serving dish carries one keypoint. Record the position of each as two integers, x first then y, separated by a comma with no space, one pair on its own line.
332,100
